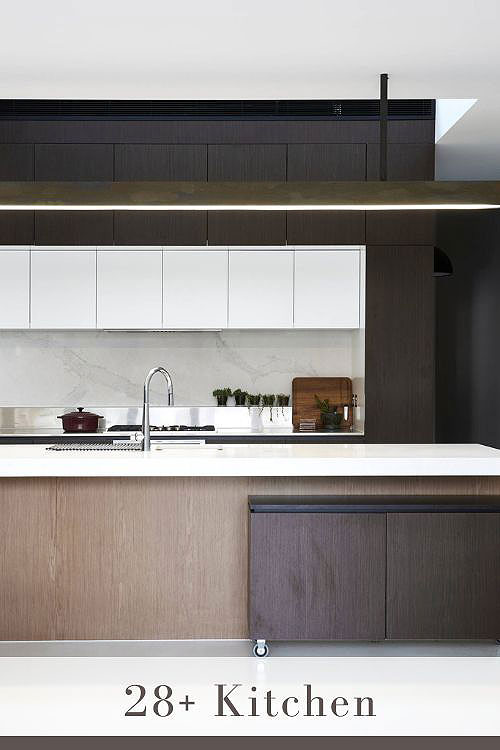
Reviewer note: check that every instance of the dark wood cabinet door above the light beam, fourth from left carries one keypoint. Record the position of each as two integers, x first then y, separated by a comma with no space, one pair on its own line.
247,162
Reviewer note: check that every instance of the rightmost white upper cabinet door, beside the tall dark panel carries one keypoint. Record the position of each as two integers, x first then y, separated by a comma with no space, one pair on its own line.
326,289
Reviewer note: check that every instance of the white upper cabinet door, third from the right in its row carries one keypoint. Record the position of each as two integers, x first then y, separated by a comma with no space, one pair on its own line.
195,288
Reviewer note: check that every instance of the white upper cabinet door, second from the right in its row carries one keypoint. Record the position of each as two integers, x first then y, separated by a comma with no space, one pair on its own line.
261,288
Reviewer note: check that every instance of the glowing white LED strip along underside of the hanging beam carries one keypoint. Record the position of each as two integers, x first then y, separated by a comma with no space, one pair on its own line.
225,207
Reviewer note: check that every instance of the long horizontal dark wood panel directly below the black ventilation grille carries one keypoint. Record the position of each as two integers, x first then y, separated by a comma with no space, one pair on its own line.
236,131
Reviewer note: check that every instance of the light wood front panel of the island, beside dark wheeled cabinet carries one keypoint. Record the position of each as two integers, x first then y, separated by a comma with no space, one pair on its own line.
154,558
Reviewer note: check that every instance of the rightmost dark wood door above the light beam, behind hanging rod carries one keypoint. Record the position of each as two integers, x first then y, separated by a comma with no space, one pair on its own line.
405,161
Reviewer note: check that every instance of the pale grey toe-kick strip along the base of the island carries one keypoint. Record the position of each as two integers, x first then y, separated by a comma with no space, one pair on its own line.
243,648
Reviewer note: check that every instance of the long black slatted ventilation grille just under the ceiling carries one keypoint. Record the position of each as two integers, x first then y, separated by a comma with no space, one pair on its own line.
321,109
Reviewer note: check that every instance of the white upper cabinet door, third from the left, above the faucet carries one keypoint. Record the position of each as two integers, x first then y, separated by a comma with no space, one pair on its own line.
129,288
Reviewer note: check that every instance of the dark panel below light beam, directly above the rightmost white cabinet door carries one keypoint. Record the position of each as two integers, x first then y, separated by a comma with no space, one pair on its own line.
326,227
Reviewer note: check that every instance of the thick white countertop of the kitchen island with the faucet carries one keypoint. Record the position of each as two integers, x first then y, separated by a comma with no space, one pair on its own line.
254,460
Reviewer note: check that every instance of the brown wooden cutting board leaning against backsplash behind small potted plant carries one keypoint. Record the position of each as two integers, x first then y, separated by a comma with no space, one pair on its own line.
337,390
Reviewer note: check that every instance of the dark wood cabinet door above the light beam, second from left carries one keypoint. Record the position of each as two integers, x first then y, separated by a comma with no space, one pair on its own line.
74,161
